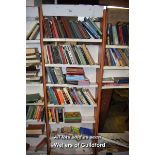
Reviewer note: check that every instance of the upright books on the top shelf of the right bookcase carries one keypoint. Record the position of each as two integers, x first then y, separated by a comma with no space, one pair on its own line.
118,34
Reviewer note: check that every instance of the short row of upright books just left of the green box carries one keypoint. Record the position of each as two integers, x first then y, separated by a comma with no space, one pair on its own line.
55,115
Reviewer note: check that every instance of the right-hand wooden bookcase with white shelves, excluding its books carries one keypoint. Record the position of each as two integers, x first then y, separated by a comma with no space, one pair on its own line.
113,15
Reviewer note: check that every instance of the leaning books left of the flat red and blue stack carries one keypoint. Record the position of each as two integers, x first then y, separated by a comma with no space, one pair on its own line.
55,75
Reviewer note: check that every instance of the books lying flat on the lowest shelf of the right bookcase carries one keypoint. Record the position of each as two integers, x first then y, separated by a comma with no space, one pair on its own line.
116,81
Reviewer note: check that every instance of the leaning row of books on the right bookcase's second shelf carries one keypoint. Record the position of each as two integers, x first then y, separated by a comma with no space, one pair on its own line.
117,57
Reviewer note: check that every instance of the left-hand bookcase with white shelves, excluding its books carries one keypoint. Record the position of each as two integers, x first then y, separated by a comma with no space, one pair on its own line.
31,88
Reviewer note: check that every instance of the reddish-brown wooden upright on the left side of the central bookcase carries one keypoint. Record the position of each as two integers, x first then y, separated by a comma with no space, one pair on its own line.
44,78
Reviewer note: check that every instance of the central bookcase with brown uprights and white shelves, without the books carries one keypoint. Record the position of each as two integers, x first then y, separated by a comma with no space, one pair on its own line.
89,113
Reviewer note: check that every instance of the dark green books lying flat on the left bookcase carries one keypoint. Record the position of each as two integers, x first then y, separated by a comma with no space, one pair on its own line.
33,98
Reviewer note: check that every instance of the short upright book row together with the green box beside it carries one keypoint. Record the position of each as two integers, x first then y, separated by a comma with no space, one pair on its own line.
58,115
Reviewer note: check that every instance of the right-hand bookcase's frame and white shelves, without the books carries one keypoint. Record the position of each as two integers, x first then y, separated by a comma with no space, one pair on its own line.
113,15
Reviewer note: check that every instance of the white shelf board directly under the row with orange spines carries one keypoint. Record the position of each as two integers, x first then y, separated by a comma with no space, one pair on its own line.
71,105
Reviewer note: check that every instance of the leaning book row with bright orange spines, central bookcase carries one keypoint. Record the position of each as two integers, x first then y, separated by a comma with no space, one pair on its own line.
64,96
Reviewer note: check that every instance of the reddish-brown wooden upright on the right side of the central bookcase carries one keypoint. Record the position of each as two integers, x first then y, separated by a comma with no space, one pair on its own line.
100,74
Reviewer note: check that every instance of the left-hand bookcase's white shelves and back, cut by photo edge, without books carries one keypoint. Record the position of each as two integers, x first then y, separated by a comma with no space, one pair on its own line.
33,88
